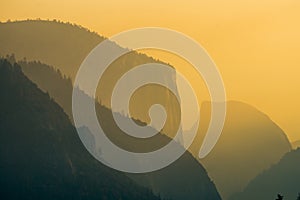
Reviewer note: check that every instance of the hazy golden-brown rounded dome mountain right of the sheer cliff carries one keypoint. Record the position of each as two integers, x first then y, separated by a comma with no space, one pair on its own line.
250,143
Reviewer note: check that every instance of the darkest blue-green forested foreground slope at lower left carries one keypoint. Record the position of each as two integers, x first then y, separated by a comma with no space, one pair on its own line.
41,155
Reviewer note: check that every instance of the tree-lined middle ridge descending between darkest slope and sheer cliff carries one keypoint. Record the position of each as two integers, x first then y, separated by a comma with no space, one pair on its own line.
185,178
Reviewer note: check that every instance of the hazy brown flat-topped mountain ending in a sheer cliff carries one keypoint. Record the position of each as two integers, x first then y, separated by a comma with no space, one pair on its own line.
65,46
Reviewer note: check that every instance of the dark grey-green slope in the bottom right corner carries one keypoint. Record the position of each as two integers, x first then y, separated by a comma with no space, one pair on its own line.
283,178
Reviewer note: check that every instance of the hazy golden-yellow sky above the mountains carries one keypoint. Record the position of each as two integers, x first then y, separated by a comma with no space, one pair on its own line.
256,44
